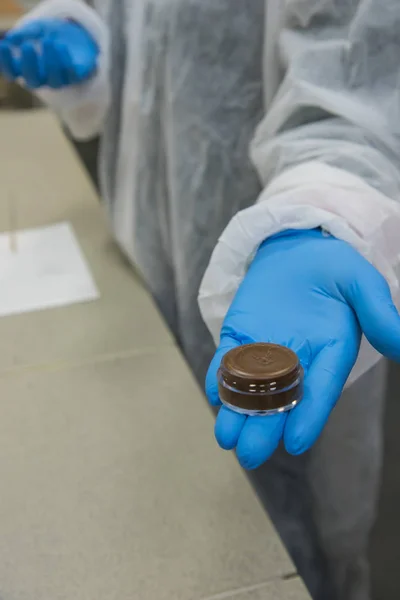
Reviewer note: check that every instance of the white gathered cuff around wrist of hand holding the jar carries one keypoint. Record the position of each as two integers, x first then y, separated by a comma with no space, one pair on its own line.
306,197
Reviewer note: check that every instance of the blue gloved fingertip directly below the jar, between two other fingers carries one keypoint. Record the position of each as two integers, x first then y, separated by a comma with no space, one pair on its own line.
259,438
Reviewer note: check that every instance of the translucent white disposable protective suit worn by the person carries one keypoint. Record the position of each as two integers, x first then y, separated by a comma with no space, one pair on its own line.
180,89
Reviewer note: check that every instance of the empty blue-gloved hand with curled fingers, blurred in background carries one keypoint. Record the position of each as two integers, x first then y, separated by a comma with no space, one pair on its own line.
49,52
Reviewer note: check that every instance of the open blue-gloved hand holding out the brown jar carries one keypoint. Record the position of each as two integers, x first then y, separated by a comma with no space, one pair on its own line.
316,295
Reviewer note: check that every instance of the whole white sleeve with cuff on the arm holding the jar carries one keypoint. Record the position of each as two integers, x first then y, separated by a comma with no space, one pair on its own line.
328,149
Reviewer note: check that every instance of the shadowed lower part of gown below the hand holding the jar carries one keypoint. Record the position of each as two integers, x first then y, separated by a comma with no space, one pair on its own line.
324,502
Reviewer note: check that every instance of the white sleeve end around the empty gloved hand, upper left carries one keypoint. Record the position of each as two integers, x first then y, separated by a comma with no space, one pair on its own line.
81,107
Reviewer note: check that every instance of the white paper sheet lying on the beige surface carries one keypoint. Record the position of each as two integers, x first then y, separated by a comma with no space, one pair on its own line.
46,269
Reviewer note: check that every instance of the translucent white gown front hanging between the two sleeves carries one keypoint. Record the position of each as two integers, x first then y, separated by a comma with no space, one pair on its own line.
171,192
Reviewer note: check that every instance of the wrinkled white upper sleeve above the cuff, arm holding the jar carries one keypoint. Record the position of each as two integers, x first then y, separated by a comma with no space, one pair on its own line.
338,99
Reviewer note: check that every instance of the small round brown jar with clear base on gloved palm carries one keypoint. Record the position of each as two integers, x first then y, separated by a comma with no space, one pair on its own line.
260,379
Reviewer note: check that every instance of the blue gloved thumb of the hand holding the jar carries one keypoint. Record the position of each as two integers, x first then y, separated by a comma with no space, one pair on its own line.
370,297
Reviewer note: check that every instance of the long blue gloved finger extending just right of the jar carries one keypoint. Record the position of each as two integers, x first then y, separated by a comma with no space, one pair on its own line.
323,387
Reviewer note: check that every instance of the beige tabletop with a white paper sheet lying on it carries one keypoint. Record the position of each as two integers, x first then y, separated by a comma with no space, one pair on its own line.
112,484
